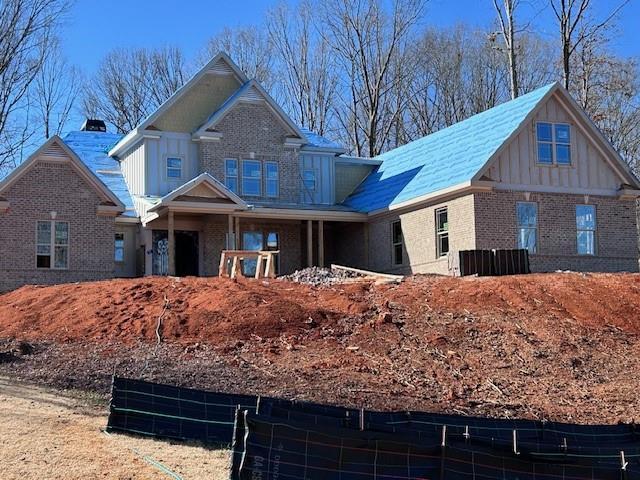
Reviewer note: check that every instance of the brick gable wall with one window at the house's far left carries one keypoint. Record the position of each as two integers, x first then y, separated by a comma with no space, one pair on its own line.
44,188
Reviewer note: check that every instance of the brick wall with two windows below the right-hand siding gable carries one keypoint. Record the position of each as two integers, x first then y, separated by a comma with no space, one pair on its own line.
616,230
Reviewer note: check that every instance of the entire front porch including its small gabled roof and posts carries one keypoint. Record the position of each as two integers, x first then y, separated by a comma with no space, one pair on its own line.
185,232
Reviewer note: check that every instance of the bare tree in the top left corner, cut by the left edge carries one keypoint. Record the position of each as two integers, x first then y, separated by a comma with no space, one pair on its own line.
26,30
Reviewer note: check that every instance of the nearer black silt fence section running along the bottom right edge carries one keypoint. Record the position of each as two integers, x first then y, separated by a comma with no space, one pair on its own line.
278,449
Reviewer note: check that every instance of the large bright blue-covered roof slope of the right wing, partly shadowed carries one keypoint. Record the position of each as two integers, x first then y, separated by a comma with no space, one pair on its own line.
443,159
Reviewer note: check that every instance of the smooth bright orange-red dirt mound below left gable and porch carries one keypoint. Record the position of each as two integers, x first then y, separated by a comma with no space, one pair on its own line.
199,309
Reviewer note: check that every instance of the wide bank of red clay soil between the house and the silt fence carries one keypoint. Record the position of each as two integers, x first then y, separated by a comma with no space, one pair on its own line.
562,346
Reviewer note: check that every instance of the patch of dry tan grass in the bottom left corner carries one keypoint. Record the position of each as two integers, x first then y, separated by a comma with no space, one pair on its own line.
47,434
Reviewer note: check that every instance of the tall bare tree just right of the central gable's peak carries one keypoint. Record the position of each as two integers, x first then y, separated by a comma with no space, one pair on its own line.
307,77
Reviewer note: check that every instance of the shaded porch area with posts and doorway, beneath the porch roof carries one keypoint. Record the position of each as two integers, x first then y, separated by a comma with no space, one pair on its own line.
188,244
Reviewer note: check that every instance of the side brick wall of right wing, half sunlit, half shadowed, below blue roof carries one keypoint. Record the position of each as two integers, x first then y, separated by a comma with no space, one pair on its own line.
419,231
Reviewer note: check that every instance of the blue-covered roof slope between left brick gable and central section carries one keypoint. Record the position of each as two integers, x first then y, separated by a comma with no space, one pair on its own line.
92,148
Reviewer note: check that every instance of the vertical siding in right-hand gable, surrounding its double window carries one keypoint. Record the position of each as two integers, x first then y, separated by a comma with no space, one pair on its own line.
517,166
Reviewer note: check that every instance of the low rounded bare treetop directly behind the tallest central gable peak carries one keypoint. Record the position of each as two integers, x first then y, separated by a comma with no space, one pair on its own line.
249,47
